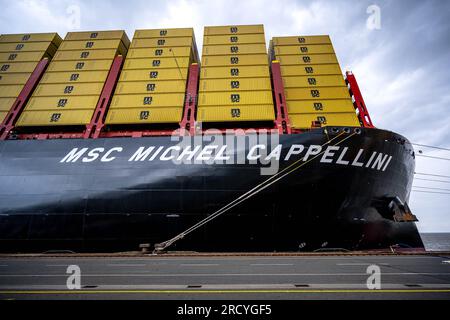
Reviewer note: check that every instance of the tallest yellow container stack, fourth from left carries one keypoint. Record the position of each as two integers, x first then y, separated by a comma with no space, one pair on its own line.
234,79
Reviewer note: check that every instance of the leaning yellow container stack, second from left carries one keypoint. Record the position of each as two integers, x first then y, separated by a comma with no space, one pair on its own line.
71,86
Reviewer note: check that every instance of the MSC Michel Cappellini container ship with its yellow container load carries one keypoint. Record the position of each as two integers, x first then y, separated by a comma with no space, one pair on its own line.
108,144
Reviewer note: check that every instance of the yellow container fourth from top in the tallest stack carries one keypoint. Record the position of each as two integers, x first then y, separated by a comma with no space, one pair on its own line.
241,60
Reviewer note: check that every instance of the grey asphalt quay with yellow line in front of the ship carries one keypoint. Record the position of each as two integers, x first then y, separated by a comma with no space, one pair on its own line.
226,277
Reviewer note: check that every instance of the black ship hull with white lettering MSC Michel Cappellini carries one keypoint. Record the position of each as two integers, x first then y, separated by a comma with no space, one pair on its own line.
108,194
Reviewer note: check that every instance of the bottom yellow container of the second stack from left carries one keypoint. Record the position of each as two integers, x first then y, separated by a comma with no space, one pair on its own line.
55,118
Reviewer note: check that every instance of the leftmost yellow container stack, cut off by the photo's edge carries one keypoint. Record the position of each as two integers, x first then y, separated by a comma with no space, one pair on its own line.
19,56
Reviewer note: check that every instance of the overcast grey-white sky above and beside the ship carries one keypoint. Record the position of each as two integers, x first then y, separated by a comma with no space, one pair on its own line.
402,64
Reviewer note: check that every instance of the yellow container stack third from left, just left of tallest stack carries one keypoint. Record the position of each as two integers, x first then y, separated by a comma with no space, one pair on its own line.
152,85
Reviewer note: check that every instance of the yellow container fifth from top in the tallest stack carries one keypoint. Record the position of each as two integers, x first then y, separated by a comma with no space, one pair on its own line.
234,72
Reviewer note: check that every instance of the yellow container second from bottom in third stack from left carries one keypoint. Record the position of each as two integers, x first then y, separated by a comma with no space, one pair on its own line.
147,100
